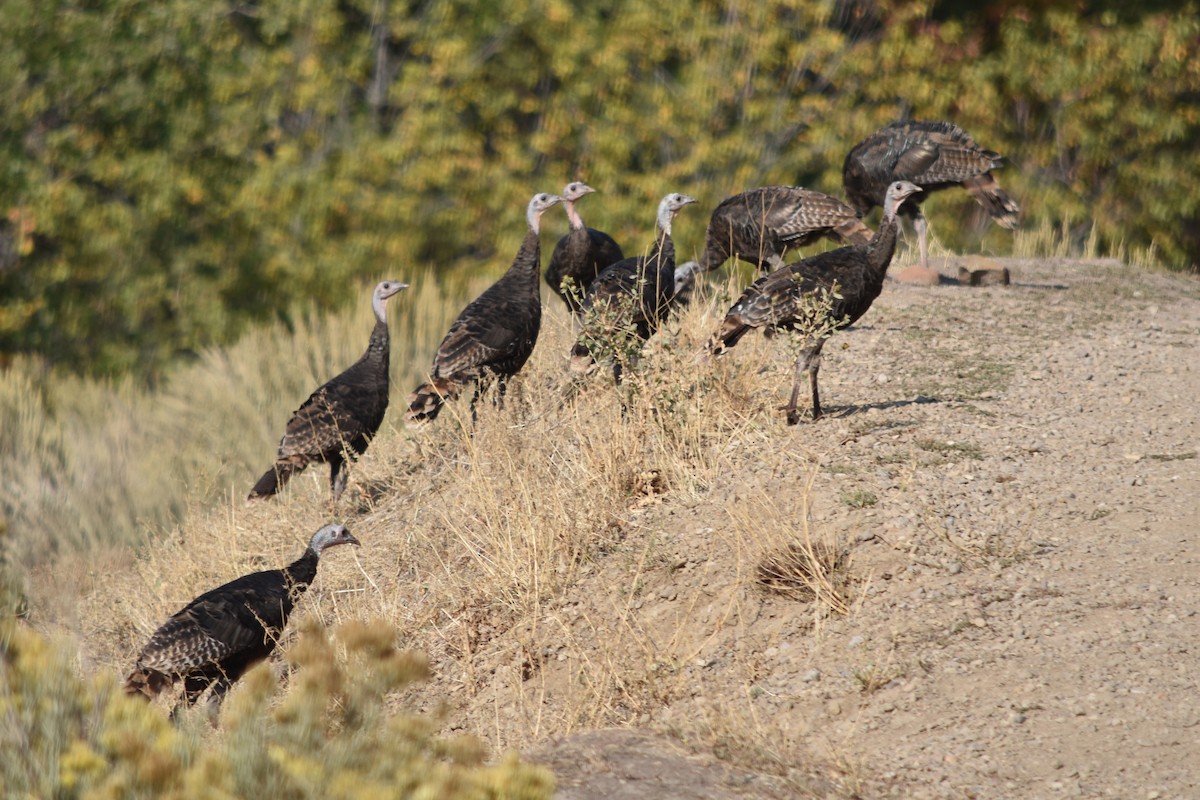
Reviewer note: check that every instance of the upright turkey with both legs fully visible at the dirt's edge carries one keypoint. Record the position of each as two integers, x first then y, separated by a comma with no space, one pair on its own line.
851,278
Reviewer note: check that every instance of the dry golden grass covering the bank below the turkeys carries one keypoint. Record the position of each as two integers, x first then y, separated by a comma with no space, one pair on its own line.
527,555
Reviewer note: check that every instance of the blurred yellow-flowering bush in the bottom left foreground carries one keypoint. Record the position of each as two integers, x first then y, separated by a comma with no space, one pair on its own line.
331,736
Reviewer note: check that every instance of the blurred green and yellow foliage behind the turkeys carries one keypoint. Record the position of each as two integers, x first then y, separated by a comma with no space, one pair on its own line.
177,172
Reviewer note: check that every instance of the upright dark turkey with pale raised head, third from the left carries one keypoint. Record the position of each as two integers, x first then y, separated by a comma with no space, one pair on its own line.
495,334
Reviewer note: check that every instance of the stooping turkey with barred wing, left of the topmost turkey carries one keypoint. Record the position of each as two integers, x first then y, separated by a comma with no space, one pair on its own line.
761,226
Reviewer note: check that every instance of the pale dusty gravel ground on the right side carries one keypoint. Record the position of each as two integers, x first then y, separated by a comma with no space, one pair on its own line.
1013,473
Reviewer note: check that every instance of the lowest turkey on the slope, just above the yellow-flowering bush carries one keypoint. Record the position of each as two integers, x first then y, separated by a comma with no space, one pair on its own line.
219,636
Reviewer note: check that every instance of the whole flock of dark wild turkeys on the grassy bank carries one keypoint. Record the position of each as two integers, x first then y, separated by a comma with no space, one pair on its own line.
215,639
